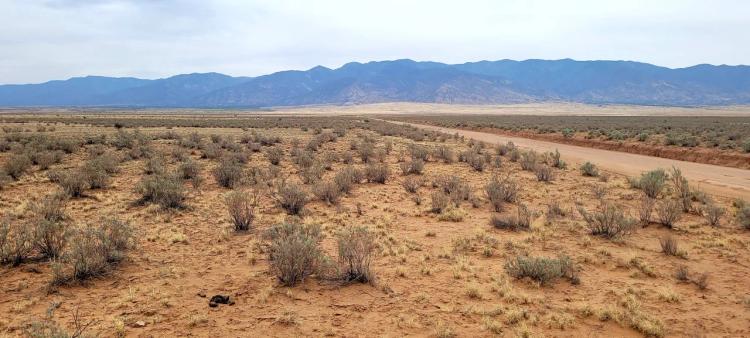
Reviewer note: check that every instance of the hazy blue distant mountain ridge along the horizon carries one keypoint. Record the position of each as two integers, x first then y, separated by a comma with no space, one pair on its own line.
484,82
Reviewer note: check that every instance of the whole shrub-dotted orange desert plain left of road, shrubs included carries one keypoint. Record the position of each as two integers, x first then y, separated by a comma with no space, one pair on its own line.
347,225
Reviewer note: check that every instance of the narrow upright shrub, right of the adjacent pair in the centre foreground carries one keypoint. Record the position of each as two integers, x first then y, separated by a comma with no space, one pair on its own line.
356,248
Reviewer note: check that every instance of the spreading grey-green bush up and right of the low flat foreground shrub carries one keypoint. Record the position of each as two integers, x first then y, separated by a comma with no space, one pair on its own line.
611,222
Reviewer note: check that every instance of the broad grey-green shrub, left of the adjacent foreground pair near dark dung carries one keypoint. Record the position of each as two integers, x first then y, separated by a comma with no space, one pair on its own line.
294,252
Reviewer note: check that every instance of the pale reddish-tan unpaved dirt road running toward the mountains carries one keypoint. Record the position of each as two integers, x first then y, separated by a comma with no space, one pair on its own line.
722,181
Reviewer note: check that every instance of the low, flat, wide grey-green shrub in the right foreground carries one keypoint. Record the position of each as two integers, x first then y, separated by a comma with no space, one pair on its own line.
542,269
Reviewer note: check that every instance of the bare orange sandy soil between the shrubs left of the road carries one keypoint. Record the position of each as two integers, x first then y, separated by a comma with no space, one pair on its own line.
434,277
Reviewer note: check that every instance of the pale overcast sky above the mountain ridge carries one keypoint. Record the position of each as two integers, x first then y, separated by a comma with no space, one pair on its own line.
43,40
